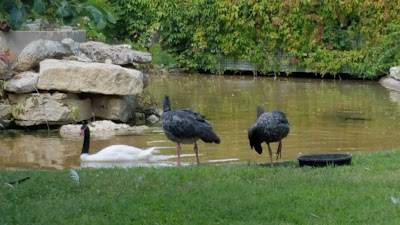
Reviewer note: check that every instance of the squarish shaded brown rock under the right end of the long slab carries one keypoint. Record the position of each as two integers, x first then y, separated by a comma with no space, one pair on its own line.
113,107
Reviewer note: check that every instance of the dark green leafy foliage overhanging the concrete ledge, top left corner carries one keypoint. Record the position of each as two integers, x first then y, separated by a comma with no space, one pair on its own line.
93,15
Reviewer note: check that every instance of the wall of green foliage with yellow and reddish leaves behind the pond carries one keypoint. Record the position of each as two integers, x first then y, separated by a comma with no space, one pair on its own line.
322,36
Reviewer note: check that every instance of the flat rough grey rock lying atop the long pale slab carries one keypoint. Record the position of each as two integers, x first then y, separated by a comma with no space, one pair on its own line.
100,52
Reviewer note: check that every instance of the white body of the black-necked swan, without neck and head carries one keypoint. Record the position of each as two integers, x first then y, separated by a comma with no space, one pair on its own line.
115,153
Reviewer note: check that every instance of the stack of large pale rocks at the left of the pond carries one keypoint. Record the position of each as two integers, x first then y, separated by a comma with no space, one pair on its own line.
61,82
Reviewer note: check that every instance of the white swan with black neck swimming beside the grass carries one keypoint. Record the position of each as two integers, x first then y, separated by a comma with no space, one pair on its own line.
112,153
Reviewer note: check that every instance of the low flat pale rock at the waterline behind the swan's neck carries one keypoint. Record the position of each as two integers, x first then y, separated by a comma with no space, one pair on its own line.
104,128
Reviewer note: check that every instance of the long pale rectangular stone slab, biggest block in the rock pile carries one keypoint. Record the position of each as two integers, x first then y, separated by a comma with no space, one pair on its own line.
99,78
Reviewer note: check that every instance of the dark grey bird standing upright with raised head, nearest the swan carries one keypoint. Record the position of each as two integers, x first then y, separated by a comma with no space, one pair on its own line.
186,126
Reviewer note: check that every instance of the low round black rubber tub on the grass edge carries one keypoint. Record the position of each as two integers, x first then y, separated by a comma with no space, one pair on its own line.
319,160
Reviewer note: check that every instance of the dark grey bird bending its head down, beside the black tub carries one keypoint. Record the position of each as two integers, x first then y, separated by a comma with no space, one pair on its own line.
270,127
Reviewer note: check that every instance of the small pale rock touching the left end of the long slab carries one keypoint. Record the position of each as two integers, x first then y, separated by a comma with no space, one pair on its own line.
24,82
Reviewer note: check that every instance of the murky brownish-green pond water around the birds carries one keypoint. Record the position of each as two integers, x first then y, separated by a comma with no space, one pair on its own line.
326,116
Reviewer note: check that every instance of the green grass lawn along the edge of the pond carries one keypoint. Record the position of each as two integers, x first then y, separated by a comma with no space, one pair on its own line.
363,193
